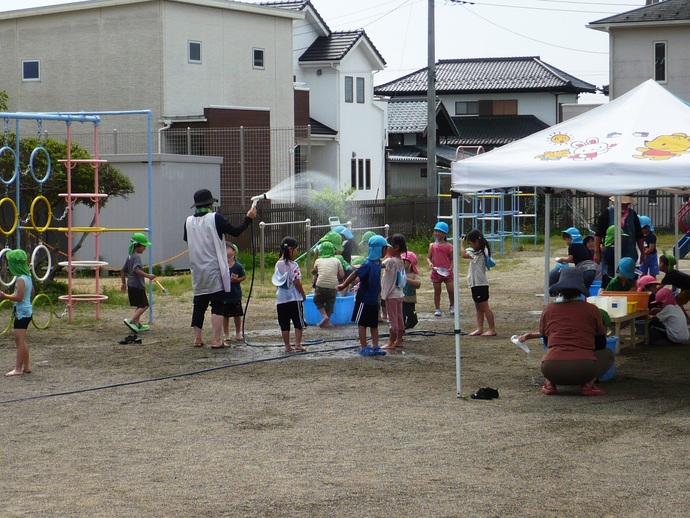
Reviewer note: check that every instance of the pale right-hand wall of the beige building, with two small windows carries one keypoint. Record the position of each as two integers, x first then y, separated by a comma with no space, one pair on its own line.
226,75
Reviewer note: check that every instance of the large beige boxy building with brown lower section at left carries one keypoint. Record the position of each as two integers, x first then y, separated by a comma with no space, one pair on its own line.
205,64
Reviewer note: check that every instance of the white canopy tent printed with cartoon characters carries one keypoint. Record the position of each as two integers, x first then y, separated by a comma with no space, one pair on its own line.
636,142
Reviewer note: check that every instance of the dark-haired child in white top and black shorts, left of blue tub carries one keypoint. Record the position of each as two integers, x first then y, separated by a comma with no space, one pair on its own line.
290,294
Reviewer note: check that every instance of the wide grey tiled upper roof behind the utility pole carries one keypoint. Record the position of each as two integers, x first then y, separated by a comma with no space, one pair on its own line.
488,75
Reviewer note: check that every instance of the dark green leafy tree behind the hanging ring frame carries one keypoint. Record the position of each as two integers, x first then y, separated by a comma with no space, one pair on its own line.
111,180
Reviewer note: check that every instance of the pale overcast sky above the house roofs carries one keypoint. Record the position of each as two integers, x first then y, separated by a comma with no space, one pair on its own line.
555,30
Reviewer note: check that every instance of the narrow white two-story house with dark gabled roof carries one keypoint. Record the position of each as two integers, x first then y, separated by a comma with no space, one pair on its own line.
334,80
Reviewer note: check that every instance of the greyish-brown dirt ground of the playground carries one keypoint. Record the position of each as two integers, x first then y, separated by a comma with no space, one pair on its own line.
164,429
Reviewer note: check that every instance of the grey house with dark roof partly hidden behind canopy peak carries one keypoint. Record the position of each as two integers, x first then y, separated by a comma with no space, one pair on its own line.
649,42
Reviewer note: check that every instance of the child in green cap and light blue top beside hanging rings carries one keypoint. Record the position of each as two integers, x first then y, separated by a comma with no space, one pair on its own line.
22,296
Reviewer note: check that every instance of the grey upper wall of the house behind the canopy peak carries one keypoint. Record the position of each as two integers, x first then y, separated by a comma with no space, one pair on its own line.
632,59
